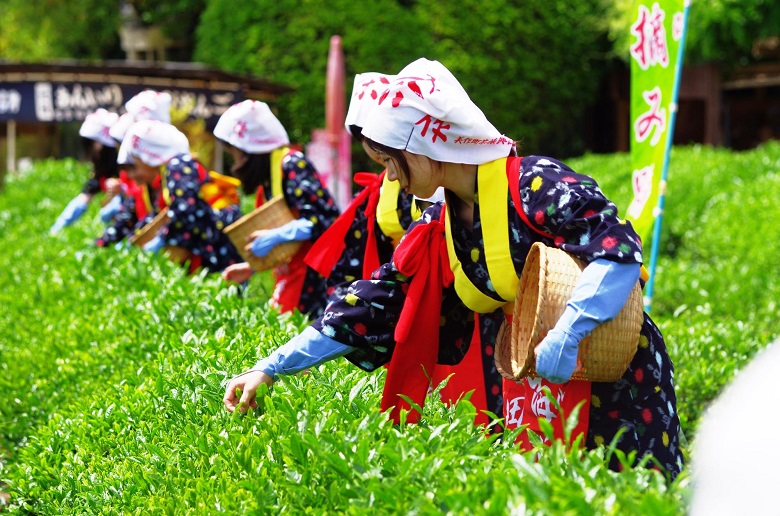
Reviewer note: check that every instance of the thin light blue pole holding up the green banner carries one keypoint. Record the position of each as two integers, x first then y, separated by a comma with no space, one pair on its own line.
659,211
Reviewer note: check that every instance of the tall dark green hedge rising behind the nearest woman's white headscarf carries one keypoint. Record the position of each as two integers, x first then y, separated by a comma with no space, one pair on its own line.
514,58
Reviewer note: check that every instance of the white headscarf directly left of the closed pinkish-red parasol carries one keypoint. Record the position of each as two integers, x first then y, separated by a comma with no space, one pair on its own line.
252,127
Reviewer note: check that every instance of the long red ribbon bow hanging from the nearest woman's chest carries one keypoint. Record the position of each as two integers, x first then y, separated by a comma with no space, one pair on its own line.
421,255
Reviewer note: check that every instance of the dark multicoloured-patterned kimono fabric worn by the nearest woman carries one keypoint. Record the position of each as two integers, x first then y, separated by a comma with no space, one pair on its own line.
573,210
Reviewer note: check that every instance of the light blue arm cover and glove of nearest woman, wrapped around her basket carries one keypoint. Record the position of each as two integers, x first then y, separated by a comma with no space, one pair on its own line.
600,294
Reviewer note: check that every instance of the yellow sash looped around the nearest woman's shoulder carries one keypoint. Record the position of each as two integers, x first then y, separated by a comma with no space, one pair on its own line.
493,187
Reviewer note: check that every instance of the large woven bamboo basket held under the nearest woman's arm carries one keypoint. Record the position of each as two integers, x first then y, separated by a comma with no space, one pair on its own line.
546,284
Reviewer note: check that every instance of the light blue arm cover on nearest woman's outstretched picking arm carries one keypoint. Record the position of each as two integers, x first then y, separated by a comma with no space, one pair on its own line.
310,348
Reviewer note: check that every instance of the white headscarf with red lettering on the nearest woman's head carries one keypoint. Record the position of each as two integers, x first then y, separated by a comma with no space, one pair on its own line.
426,111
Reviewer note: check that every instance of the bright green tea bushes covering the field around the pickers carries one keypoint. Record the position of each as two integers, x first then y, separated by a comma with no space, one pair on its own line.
113,364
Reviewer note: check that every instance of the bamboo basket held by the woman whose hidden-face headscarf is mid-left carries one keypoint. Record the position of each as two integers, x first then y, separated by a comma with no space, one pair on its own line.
272,214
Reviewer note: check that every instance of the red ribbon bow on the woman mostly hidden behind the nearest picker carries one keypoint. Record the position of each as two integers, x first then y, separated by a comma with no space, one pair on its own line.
327,250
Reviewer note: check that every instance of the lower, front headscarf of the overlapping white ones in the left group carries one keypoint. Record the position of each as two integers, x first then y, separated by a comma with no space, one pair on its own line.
152,142
